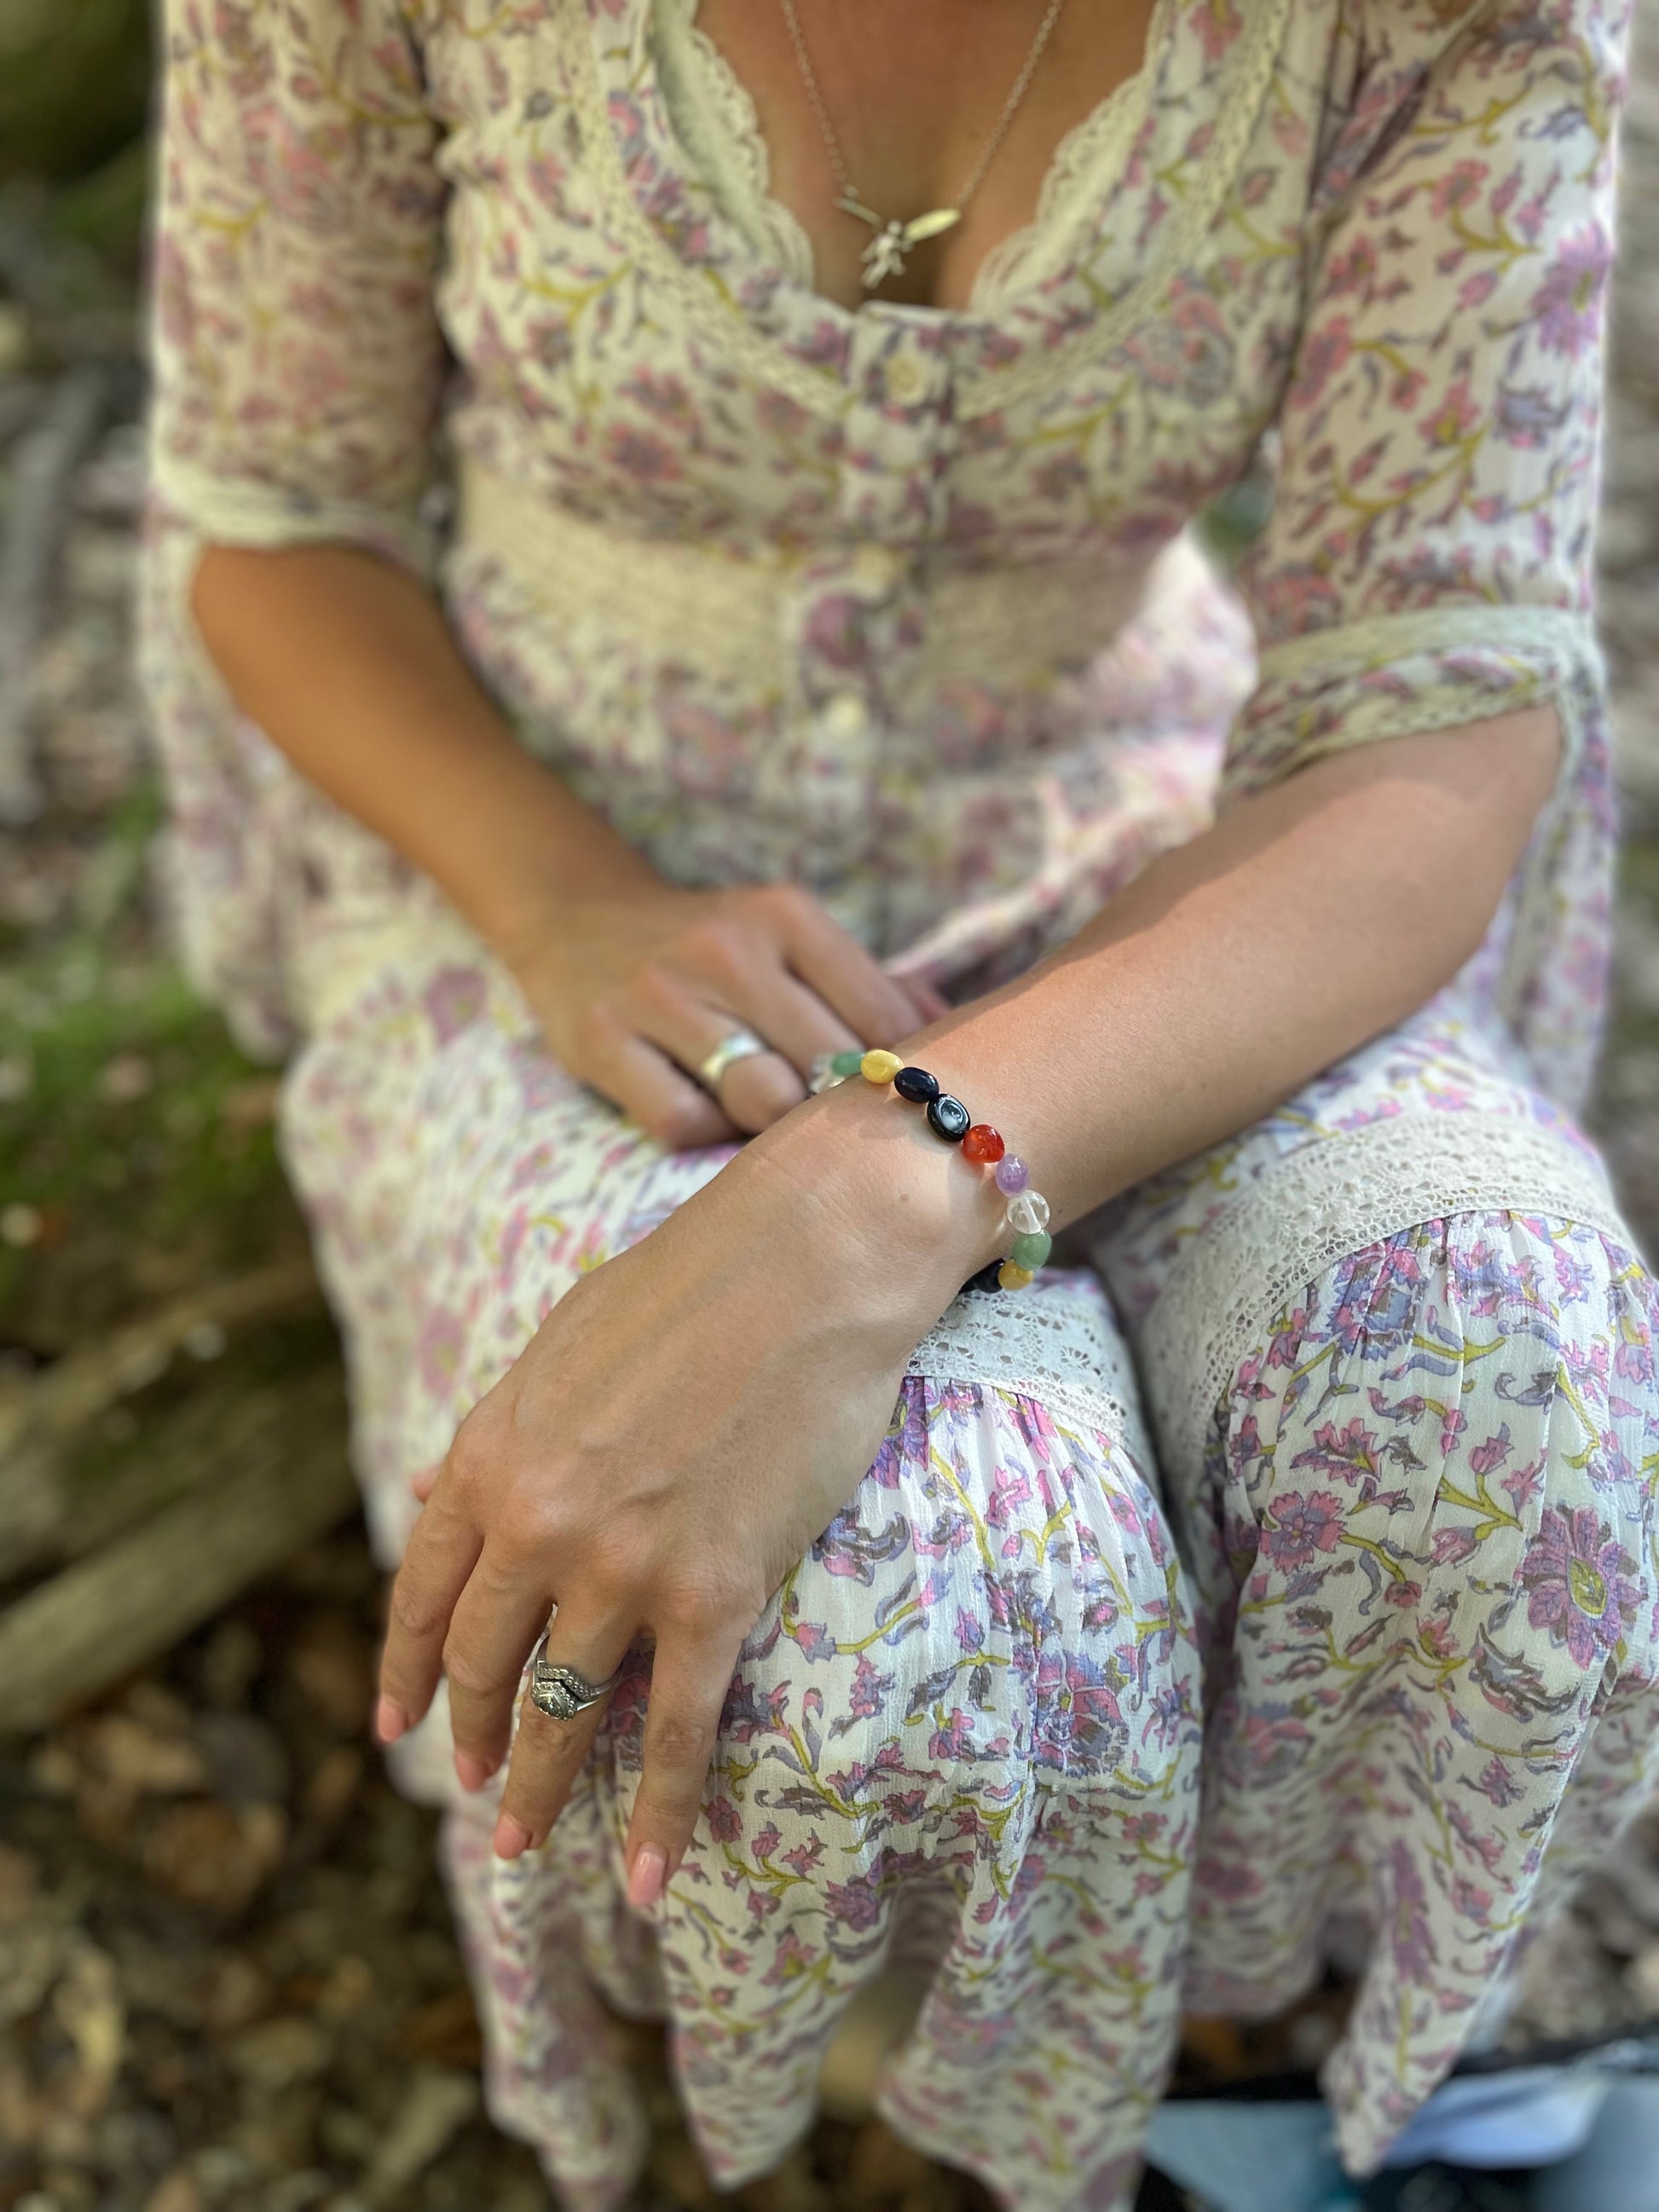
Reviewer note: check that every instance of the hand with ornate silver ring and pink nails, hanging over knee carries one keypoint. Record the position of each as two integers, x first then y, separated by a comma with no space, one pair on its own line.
678,1432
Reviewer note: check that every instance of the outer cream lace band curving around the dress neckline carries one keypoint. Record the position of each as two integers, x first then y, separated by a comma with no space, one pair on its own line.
1001,379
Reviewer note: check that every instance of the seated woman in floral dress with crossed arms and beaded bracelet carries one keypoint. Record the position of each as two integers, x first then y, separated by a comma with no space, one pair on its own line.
813,662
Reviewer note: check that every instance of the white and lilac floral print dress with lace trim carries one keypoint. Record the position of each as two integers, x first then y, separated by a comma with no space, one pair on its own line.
1280,1576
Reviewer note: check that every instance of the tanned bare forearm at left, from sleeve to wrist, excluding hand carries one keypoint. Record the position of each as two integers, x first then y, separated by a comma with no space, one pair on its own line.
348,667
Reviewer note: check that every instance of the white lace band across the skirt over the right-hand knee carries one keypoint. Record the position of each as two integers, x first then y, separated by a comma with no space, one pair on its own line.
1313,1209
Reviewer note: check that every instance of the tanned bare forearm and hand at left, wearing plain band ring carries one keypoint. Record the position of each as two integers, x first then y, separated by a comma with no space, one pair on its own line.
351,669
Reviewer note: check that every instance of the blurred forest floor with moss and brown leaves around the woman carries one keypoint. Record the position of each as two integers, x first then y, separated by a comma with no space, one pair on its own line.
227,1963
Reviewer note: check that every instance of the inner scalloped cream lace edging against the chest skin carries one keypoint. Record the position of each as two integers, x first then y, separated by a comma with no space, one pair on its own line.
718,121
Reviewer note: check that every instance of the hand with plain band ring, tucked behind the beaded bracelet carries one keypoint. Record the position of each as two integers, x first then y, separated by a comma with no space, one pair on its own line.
634,992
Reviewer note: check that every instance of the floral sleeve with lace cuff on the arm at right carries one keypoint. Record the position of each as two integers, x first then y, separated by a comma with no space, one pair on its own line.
1430,556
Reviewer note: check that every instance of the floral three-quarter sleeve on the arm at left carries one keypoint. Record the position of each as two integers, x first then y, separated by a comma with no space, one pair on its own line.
295,344
